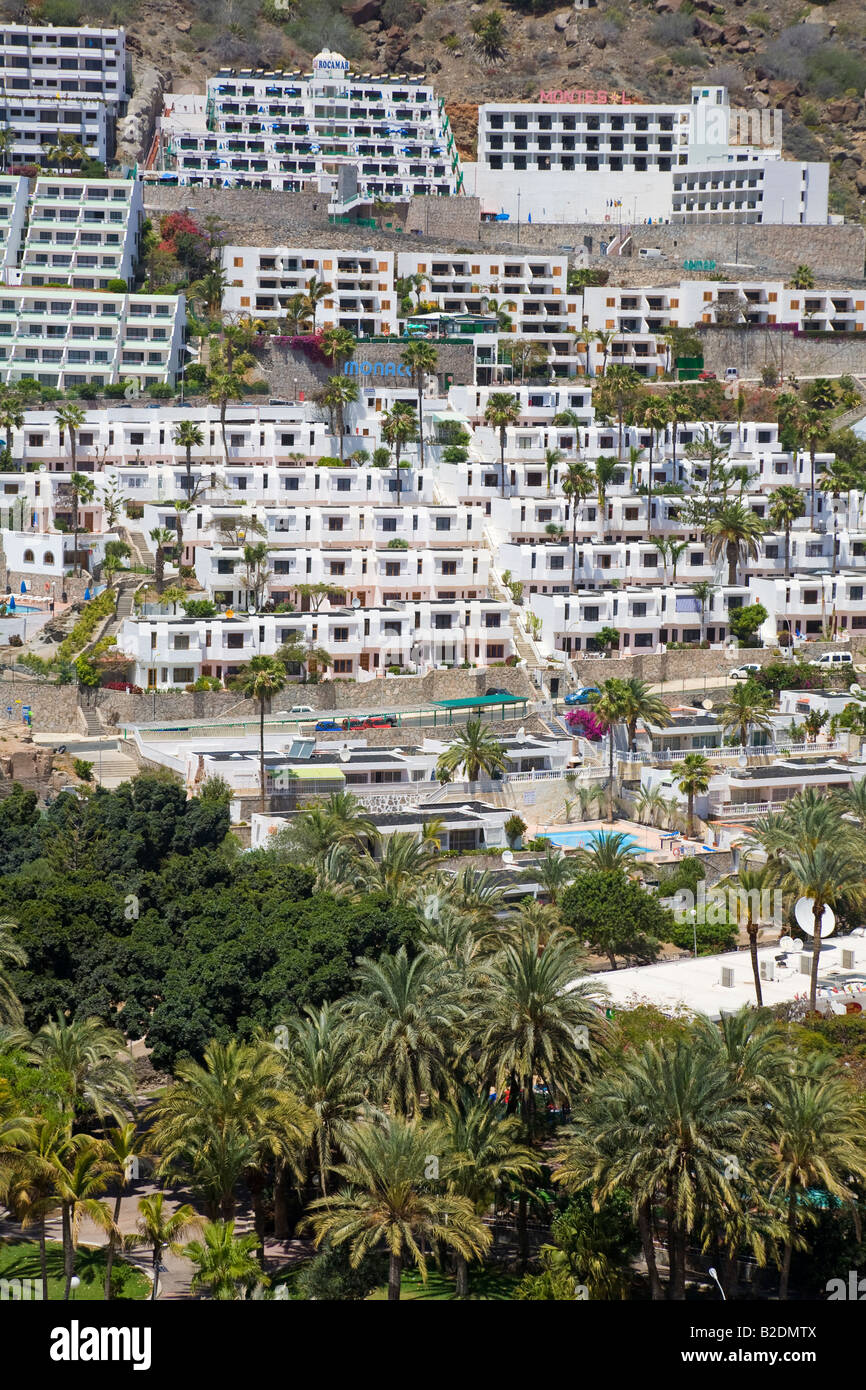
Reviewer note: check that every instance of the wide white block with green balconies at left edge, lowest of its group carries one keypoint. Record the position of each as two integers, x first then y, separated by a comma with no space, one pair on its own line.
67,337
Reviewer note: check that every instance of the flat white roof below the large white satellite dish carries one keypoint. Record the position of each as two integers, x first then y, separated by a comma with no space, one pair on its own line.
696,985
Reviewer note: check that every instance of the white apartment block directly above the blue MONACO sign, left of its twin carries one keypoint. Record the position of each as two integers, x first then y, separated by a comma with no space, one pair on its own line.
262,280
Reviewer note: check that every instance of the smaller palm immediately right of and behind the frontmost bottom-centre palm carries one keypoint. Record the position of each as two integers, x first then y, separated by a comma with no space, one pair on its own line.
482,1150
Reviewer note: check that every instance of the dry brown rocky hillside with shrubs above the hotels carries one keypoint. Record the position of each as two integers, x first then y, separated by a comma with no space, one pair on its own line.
811,62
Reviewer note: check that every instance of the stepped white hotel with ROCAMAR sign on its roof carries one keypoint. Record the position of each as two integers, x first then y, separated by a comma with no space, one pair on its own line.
355,136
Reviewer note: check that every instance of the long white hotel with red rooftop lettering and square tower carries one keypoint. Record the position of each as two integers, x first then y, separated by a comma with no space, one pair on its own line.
586,156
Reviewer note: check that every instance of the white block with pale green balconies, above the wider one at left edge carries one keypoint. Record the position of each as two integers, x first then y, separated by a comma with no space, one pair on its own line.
83,233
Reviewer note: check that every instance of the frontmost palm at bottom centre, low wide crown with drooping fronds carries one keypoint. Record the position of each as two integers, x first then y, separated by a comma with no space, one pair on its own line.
389,1202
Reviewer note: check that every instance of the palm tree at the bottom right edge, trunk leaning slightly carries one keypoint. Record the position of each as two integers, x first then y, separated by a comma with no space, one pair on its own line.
817,1139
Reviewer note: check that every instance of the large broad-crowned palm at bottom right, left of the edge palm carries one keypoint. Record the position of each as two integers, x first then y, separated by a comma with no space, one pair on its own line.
664,1125
